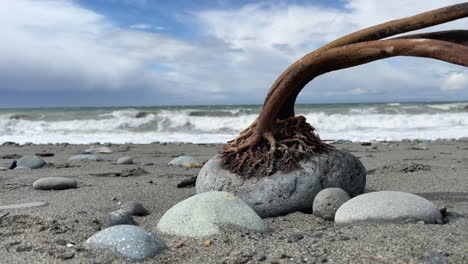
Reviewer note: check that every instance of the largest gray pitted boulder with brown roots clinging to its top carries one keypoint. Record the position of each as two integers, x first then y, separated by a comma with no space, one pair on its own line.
283,193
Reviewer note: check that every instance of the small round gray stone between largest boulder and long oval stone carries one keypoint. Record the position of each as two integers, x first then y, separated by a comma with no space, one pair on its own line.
328,201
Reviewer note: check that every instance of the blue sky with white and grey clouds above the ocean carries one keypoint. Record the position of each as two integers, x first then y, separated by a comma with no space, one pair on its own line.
57,53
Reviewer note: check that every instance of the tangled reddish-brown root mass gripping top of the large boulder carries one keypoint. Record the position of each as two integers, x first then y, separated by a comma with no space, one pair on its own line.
255,154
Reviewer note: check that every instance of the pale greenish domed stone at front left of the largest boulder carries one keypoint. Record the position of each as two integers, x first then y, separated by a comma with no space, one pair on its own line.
207,213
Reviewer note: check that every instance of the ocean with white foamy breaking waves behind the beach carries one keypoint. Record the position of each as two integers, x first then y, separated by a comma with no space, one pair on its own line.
220,123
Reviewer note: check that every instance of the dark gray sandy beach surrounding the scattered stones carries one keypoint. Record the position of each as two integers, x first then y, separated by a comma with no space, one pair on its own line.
435,170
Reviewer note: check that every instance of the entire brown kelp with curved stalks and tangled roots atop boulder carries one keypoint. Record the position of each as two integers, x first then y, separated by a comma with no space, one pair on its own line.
277,140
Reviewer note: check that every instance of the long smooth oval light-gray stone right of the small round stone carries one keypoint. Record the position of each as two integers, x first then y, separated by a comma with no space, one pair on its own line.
386,207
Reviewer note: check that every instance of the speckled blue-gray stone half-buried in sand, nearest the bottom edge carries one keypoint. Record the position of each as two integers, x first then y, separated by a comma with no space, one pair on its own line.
127,241
